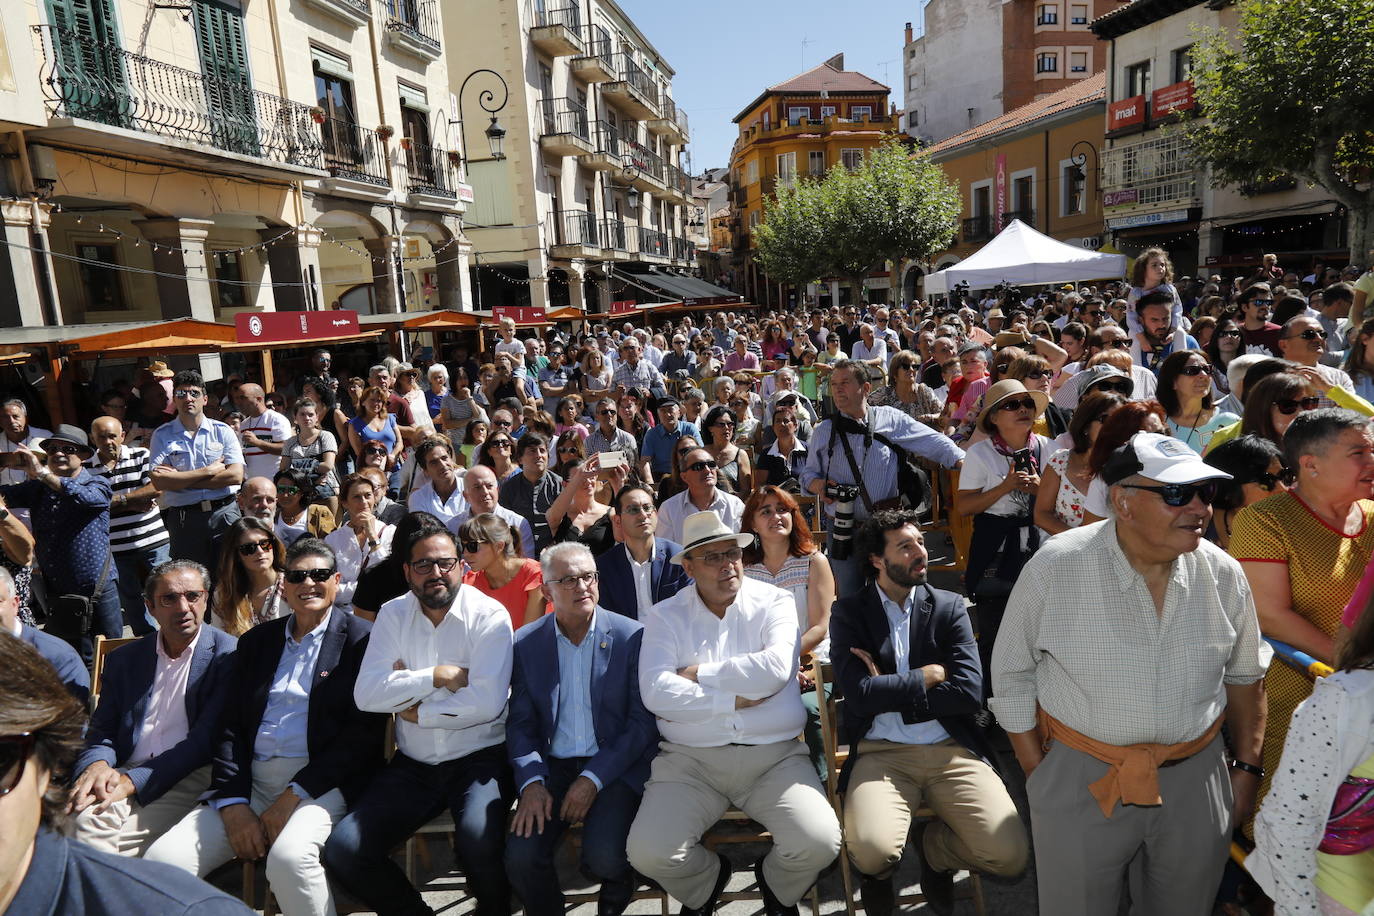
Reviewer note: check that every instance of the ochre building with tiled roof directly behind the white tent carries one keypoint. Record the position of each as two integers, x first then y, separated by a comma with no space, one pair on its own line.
1037,164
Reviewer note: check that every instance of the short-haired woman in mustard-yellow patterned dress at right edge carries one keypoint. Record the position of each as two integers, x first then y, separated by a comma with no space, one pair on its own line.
1306,550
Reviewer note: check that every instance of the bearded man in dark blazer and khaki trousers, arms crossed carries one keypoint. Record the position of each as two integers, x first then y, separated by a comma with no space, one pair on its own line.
908,664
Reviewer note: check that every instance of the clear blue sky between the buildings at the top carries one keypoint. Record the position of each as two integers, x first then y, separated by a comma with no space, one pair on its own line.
729,51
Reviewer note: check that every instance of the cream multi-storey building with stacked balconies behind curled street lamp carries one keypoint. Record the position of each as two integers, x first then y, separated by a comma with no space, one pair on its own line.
590,189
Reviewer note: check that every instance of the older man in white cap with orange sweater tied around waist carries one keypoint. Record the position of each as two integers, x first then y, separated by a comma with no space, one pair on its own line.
1125,648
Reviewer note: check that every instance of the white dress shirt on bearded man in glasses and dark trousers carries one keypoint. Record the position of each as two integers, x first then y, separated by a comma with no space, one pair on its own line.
476,635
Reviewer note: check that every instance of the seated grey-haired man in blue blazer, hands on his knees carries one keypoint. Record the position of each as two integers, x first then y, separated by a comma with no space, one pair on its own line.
578,737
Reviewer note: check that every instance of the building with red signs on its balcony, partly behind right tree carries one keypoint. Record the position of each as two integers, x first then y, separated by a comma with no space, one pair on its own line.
1156,194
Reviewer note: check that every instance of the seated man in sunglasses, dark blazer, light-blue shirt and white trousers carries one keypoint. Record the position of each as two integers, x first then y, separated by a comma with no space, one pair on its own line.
296,749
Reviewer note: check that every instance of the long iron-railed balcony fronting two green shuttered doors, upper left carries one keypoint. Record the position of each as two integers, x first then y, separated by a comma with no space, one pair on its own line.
93,87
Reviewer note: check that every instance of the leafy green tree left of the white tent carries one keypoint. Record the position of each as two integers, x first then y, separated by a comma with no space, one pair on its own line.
847,225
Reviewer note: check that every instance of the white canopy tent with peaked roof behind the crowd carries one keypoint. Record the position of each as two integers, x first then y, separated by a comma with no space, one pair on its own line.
1024,257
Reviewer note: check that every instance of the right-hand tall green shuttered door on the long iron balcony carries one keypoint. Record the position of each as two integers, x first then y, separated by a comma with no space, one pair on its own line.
230,106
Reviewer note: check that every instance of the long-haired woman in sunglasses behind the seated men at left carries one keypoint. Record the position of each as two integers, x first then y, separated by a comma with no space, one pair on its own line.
248,583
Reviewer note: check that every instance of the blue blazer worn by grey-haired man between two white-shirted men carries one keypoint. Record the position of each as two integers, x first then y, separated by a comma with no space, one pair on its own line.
627,738
